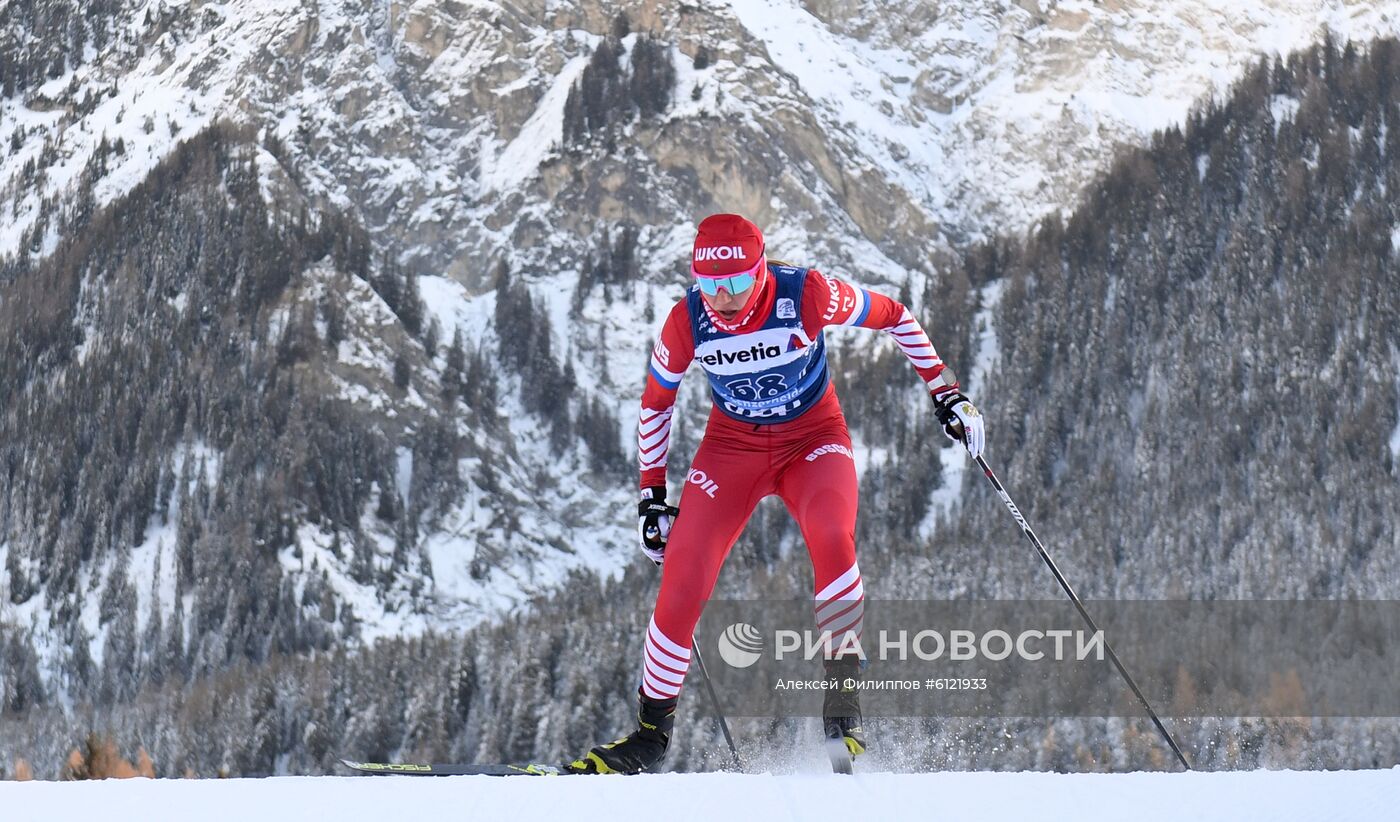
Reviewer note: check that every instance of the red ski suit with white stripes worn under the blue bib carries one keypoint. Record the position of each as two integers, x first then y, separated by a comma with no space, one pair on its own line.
808,463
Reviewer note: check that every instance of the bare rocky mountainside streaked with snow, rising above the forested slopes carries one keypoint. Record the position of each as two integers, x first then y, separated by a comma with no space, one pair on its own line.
442,124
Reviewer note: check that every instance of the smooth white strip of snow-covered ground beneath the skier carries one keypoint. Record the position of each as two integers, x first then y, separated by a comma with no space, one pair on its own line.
1143,797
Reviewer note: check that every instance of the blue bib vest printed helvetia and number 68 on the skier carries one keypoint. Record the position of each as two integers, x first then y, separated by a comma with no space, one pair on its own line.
766,376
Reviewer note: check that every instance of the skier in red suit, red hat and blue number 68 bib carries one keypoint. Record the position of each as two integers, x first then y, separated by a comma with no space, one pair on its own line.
755,328
